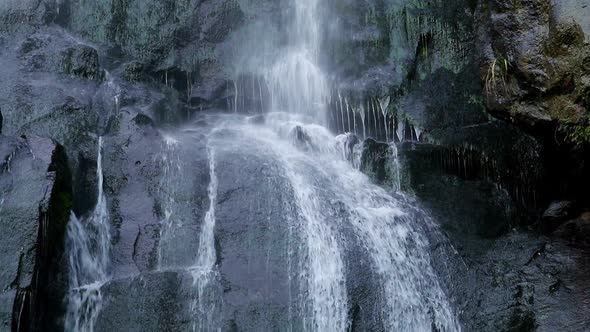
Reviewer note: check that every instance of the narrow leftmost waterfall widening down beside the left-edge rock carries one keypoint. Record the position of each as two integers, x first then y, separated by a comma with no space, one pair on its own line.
88,247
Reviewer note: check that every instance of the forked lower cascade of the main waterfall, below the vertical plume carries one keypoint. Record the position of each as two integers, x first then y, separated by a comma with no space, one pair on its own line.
331,194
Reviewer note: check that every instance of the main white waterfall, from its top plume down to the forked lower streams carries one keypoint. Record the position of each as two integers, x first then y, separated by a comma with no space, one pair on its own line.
412,297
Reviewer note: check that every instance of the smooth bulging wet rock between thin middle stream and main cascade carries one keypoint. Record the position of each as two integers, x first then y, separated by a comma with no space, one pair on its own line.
256,252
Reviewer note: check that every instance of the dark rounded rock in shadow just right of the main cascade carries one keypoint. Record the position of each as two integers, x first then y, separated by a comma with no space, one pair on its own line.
441,178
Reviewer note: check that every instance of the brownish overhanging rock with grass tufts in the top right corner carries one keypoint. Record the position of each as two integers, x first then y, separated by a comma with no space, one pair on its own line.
534,60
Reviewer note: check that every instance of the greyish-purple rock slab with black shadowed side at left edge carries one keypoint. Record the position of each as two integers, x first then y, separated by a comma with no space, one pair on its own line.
34,211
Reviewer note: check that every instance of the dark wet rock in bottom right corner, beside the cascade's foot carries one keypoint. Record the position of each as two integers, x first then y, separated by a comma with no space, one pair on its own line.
506,294
